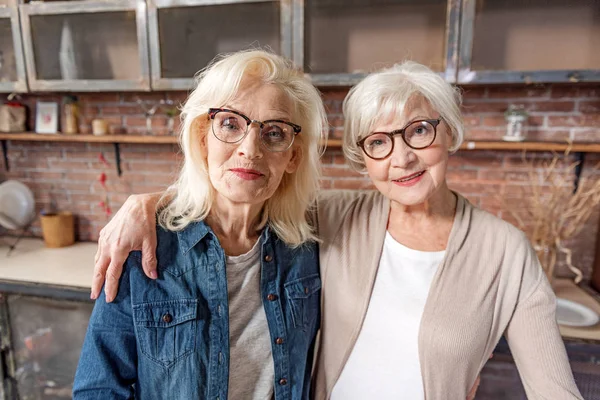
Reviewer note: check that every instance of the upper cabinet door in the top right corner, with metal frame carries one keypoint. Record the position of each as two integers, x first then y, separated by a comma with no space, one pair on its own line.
530,41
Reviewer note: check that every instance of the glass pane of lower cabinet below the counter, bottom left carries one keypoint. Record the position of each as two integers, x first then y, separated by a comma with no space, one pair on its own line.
47,336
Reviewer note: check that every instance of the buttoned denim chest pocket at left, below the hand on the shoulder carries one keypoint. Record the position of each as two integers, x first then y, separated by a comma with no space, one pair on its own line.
166,330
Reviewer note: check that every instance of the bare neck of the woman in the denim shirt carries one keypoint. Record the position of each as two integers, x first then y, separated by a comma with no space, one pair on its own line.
235,224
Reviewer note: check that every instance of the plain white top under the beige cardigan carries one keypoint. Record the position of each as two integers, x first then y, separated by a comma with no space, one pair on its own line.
384,363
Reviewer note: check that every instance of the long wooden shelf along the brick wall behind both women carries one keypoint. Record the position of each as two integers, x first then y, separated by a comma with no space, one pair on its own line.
331,143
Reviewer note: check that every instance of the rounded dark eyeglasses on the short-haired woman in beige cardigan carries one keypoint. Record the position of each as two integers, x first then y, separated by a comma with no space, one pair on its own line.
417,135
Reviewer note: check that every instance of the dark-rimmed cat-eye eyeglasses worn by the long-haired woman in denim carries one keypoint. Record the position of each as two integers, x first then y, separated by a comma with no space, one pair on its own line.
231,127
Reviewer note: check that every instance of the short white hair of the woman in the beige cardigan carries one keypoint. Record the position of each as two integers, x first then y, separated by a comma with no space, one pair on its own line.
384,94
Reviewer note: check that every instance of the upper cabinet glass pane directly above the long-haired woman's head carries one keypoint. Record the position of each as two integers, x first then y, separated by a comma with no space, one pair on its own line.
191,36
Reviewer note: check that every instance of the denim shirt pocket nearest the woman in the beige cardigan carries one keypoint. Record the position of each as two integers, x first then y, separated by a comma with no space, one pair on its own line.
303,300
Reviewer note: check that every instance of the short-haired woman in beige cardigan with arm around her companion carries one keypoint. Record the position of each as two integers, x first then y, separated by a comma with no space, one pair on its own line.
418,285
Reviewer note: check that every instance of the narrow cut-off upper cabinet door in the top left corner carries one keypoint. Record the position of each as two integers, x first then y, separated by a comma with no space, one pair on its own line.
12,64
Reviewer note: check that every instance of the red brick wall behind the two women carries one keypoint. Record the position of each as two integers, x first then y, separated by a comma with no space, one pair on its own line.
67,173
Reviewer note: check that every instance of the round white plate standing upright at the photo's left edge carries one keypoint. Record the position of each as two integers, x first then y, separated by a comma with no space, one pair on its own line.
16,204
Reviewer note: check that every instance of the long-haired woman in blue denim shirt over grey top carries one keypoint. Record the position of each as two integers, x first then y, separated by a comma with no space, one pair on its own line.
234,307
